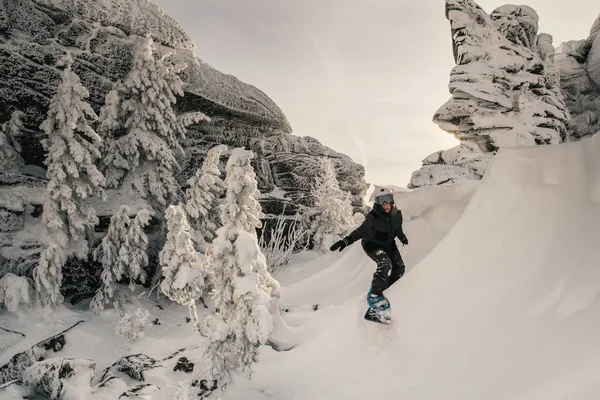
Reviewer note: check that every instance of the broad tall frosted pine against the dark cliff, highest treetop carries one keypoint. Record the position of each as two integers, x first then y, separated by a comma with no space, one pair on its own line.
141,129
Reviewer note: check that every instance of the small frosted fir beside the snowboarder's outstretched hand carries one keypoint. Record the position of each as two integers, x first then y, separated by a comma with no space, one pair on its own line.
333,208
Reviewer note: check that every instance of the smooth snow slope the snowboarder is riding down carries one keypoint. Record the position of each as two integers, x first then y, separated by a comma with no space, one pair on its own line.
504,307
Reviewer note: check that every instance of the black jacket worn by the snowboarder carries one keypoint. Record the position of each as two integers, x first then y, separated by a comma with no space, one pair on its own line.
379,227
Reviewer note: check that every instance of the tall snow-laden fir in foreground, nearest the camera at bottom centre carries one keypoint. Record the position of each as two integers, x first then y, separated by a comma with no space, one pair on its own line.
242,320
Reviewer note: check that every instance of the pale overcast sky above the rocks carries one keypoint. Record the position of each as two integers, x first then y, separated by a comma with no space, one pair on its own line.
362,76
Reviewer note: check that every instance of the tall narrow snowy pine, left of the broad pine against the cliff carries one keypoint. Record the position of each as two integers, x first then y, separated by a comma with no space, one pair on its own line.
73,178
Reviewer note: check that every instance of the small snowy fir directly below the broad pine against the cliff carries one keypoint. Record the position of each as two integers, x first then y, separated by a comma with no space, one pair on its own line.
123,254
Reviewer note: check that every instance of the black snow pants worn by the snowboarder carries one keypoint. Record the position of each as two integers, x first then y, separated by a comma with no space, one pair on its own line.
390,266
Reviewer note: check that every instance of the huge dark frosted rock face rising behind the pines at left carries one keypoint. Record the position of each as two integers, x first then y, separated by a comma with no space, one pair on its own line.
36,33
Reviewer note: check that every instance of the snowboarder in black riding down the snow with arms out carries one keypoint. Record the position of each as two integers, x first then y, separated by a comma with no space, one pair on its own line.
377,233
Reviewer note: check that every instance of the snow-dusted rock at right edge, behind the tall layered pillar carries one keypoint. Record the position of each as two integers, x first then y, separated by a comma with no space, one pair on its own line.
579,64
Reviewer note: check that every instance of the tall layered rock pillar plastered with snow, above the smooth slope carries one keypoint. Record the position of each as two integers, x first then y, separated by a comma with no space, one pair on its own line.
505,91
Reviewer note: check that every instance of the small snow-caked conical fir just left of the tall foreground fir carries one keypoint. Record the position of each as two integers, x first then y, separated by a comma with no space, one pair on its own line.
182,265
